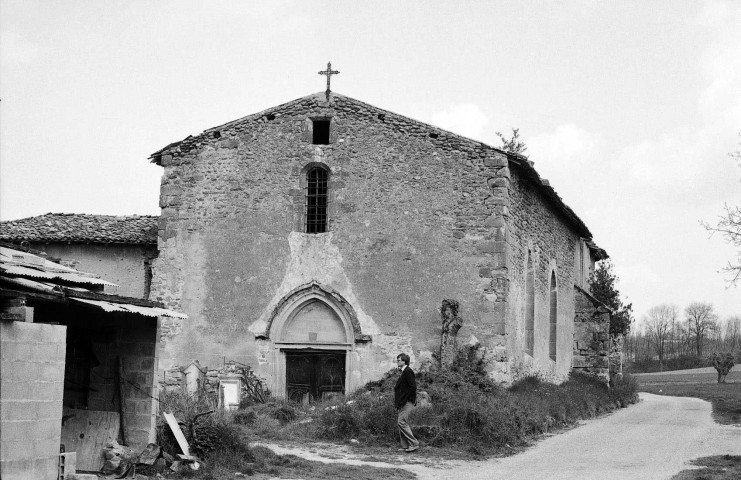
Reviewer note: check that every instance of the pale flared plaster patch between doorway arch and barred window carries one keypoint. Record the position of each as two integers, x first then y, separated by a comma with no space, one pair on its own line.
315,258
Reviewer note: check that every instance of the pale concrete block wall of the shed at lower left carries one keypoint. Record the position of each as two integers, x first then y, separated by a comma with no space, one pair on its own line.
31,386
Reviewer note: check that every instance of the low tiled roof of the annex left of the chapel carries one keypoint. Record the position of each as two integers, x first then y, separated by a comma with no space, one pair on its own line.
82,228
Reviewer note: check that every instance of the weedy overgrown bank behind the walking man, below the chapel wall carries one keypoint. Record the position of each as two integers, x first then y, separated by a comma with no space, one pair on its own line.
466,410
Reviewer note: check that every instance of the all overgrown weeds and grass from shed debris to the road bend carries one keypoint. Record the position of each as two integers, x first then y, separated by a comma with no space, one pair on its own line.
461,409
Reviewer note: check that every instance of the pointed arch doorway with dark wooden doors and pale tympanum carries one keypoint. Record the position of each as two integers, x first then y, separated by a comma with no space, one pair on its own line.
313,332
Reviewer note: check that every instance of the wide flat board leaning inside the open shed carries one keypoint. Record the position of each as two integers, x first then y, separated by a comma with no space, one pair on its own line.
87,432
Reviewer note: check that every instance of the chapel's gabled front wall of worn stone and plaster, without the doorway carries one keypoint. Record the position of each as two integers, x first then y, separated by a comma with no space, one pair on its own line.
410,224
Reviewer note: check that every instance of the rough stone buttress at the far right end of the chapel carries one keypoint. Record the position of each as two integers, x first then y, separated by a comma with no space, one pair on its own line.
591,336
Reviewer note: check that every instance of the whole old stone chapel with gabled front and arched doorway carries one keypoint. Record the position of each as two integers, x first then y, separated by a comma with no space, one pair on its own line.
316,240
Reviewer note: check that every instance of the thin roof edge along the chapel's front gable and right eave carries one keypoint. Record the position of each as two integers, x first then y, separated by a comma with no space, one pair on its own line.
410,126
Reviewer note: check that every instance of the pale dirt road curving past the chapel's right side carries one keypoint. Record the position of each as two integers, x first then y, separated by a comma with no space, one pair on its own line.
654,439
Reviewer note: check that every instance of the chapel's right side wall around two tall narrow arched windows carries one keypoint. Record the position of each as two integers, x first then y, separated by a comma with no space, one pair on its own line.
534,225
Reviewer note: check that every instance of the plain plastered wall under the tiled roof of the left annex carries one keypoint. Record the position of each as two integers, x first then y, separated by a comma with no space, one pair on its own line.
128,266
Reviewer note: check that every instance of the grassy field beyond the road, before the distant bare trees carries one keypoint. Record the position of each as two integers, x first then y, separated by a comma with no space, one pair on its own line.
725,397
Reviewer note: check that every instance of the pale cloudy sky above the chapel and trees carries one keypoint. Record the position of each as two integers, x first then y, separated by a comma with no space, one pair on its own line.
629,108
